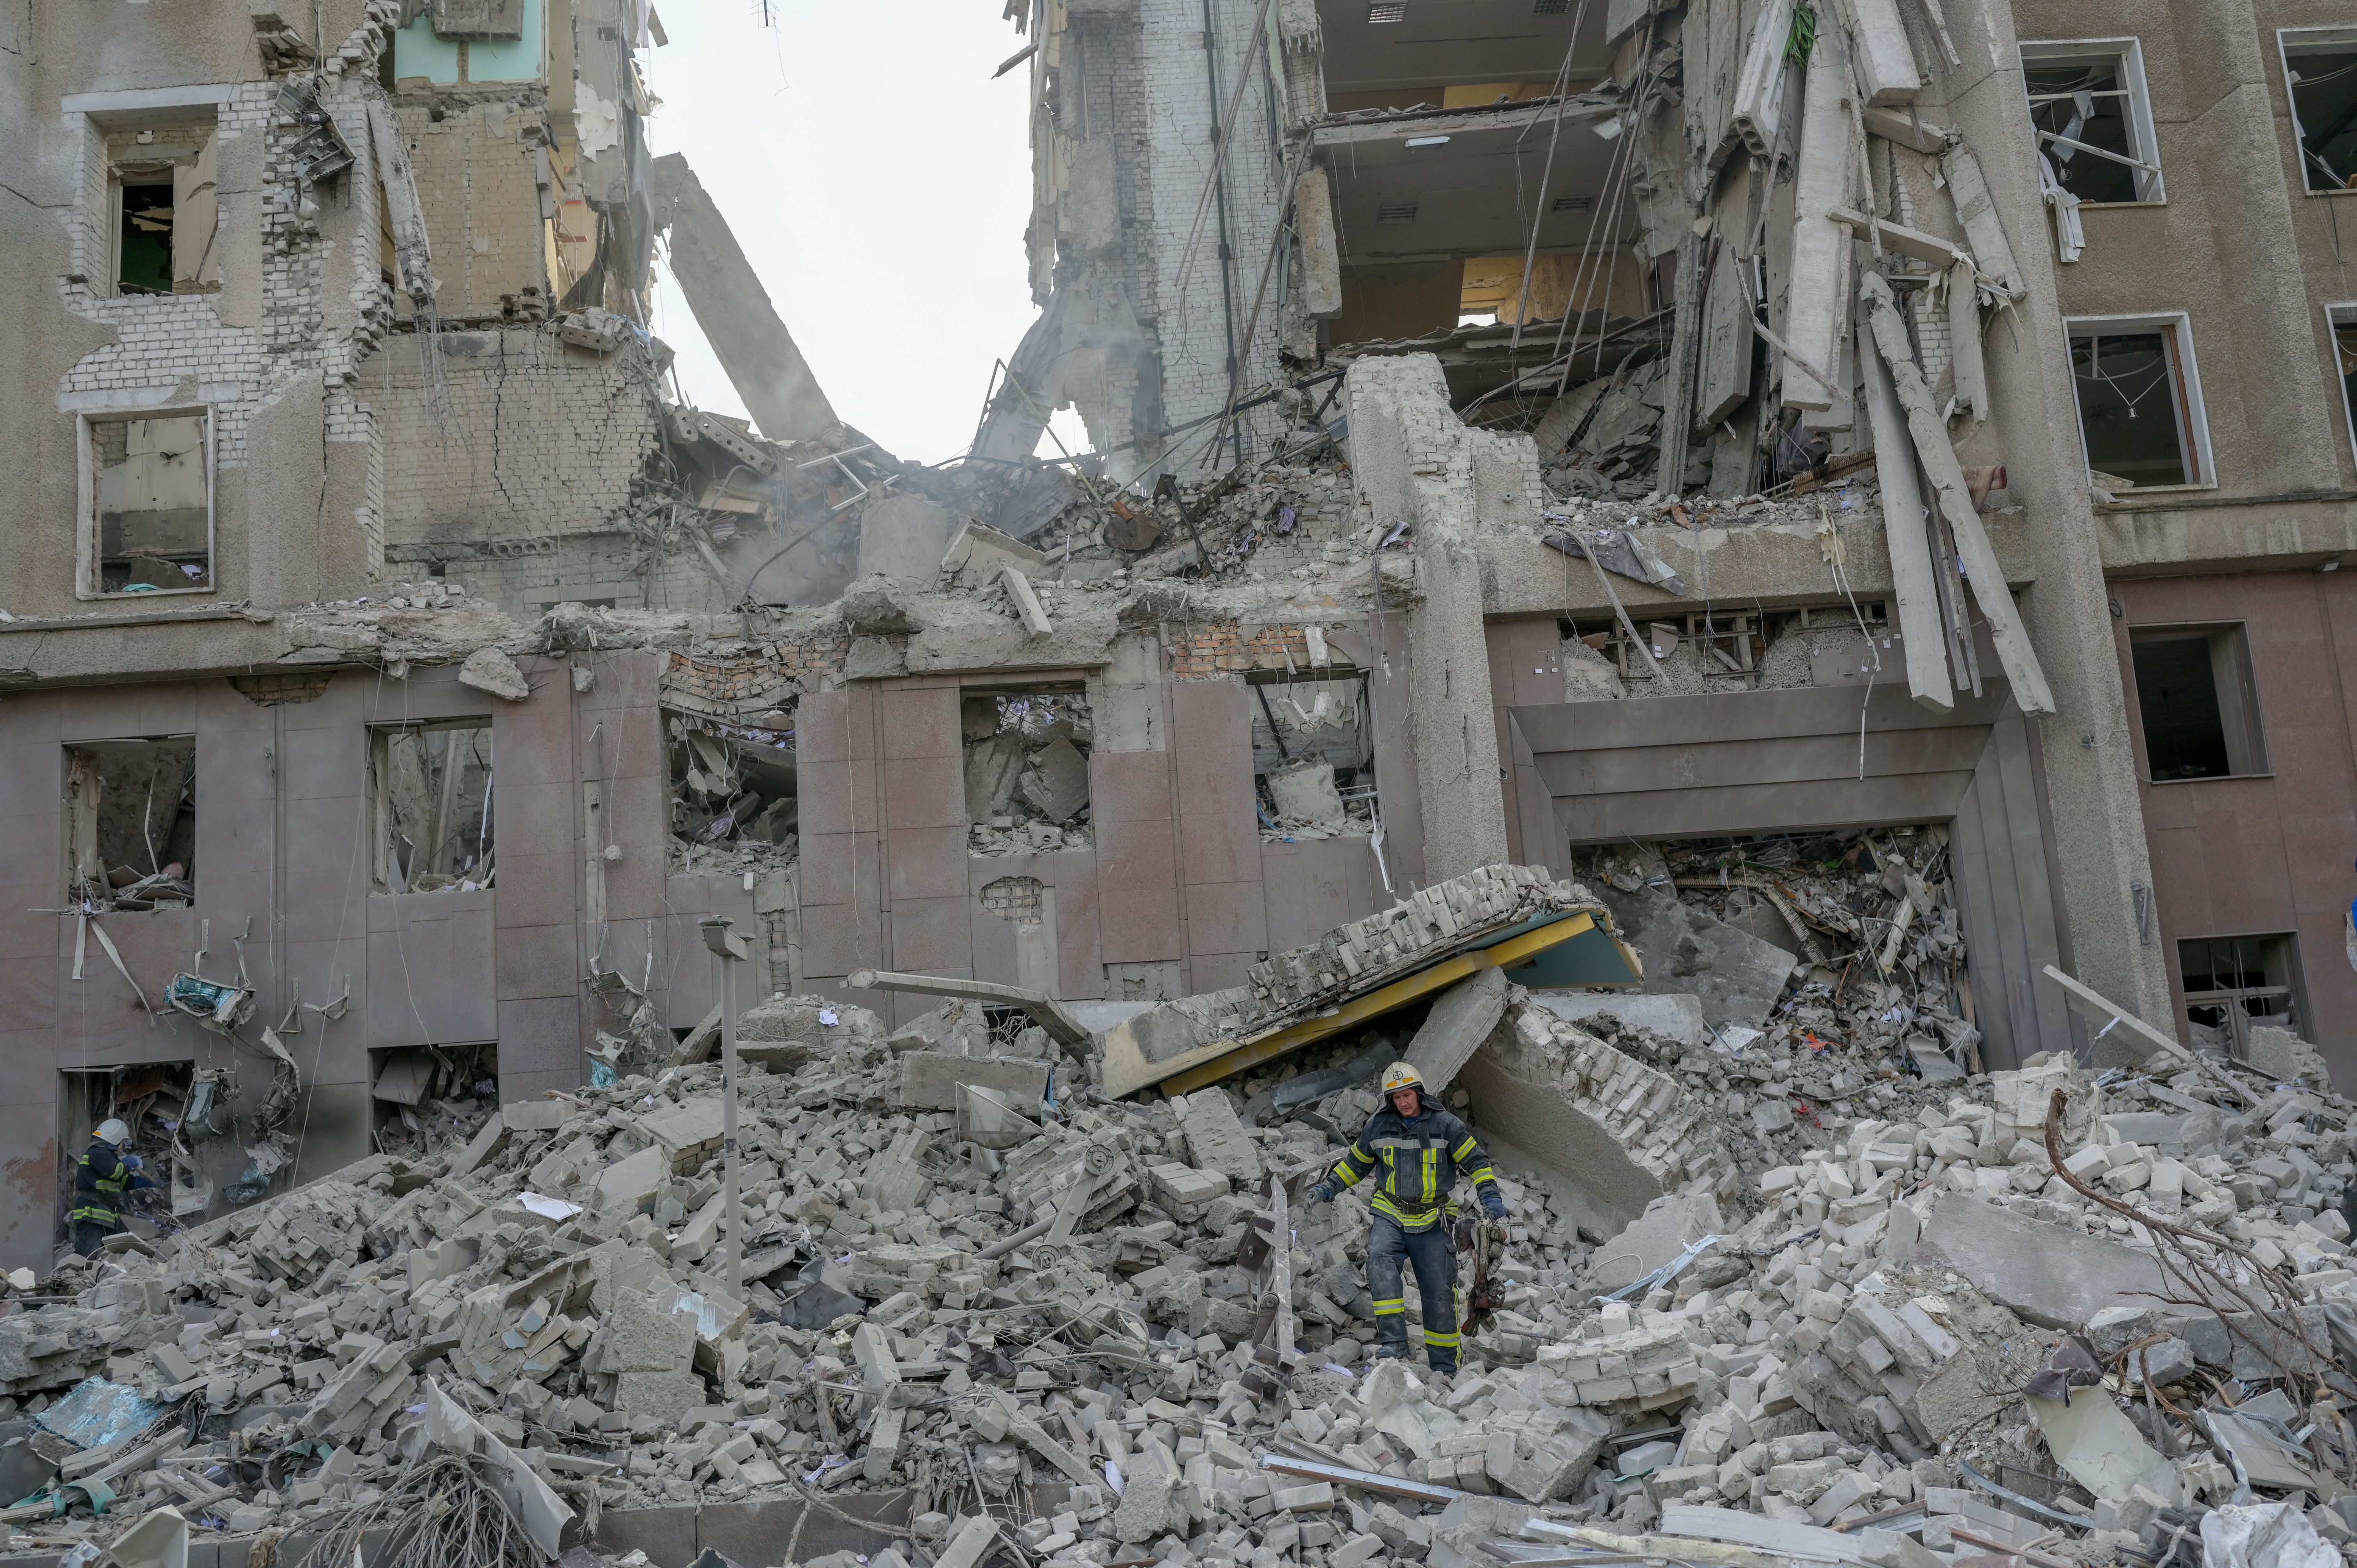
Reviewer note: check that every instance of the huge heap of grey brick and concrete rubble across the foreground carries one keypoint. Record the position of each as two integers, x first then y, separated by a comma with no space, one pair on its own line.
1825,1355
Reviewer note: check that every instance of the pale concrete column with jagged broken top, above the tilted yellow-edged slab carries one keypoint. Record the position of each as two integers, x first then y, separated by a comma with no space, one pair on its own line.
1418,463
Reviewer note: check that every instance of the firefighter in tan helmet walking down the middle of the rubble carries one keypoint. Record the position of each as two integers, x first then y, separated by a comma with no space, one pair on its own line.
1420,1149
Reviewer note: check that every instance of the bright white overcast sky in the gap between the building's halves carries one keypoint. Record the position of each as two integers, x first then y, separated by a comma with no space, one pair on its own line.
880,183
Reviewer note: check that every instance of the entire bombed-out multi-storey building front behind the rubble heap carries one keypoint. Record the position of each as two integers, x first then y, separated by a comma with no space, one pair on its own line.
1684,449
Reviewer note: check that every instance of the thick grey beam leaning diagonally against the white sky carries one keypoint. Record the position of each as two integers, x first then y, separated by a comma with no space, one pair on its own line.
734,310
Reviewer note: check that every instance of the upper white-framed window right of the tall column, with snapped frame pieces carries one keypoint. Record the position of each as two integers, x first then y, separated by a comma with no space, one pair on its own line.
2094,119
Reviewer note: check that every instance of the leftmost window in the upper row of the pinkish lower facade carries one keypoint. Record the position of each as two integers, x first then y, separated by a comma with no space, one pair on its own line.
131,824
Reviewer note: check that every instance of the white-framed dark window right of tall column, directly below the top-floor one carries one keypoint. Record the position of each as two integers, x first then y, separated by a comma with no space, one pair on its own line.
2139,402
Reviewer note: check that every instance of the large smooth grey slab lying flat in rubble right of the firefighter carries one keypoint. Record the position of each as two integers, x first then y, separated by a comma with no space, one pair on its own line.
2042,1272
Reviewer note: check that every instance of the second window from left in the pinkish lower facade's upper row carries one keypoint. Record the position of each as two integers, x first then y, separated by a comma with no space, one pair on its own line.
430,786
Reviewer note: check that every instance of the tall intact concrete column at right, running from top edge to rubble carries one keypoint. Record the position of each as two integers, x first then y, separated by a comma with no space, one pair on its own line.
2035,433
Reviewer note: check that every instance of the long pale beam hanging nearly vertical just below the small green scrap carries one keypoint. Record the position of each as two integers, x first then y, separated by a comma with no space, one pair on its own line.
1818,308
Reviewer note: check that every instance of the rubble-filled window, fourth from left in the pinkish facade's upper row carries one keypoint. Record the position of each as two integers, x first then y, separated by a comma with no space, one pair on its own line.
1029,770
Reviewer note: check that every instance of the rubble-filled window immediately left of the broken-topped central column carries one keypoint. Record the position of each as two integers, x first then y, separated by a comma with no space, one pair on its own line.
1314,758
